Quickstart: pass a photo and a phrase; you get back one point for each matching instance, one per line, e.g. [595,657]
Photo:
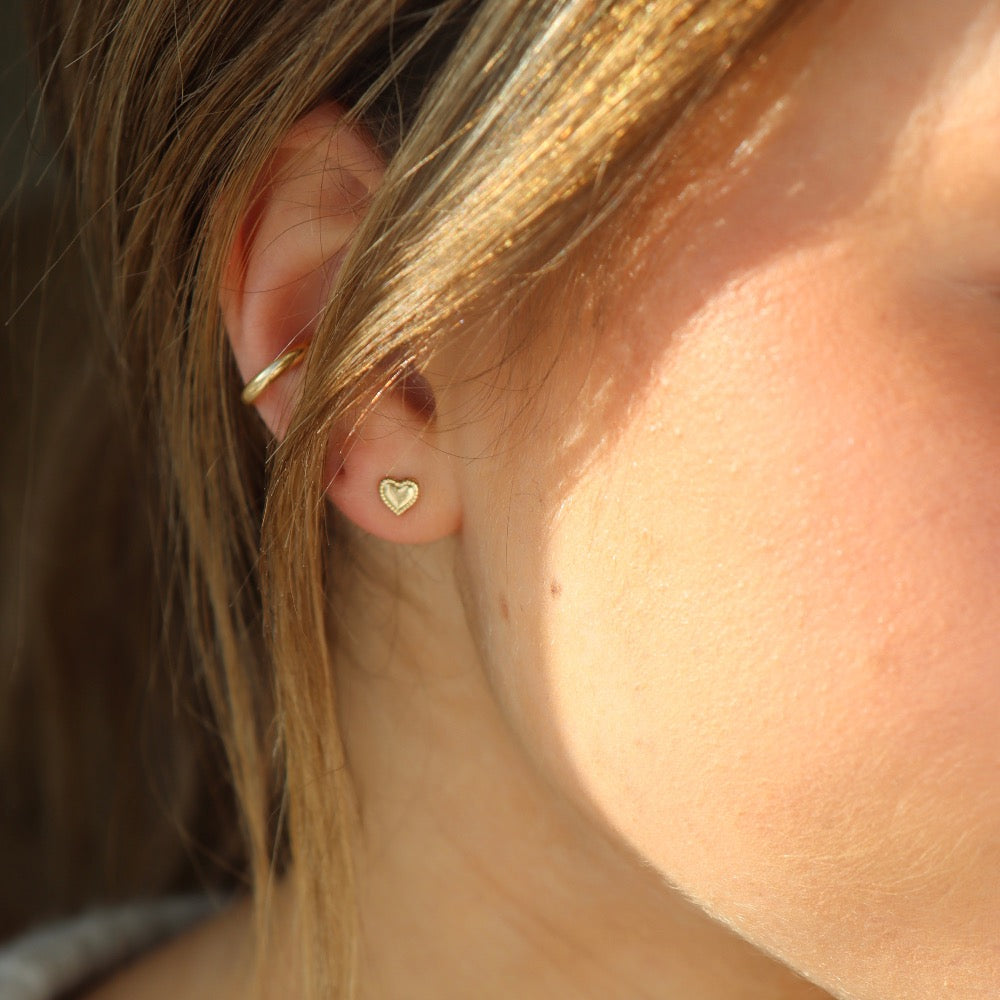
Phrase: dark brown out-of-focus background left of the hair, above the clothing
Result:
[110,784]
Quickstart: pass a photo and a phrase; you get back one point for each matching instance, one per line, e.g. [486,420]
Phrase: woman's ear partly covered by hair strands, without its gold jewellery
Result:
[281,267]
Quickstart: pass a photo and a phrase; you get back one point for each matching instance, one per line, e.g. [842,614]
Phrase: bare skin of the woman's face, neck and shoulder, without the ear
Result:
[705,689]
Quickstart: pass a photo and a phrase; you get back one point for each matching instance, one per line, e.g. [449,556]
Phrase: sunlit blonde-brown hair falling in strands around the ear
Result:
[513,130]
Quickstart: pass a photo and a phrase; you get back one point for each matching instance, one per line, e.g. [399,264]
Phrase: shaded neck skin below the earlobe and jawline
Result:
[476,877]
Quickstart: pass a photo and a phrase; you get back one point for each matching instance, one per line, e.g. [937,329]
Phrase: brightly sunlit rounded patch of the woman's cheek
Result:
[773,667]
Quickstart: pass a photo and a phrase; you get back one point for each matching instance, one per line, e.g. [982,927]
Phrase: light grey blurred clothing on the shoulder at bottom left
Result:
[52,962]
